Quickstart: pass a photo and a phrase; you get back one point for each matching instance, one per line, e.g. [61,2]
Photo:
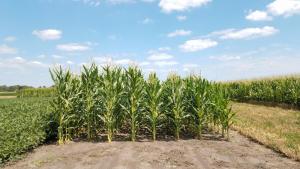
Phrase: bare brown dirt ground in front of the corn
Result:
[239,153]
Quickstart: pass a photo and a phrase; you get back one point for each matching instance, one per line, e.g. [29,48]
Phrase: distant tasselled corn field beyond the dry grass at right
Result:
[279,90]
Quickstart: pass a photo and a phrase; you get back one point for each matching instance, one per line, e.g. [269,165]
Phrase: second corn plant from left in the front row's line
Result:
[89,82]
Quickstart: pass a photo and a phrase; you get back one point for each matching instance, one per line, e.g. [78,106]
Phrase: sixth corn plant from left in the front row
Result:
[176,102]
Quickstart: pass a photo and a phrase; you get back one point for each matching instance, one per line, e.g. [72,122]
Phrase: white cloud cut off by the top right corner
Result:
[284,7]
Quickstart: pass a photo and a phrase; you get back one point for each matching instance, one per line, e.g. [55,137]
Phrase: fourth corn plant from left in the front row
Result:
[135,98]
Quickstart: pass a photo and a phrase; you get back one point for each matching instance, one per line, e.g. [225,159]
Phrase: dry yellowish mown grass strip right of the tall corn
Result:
[274,127]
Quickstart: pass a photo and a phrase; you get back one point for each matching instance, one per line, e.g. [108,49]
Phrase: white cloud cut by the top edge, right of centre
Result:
[180,5]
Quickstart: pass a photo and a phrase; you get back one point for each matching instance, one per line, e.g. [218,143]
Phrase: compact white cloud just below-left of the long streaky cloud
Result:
[197,45]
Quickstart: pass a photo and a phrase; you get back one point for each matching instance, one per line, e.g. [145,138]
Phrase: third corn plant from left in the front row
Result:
[110,93]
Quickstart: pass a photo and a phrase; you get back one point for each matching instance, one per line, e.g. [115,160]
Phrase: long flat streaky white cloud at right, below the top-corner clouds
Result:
[250,33]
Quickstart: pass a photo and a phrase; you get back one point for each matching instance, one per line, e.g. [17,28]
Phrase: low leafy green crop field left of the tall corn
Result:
[24,124]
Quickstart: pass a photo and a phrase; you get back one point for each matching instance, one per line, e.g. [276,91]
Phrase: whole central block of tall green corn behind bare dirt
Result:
[110,100]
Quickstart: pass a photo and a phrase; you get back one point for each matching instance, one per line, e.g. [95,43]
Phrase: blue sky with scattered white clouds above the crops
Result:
[217,39]
